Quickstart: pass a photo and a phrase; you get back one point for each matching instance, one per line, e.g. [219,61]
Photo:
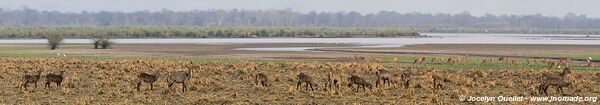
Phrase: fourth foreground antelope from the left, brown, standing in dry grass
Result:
[179,77]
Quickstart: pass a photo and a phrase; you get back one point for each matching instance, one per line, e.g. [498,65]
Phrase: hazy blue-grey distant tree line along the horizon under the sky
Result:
[290,18]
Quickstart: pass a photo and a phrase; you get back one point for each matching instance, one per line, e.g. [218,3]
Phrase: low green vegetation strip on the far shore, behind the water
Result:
[95,32]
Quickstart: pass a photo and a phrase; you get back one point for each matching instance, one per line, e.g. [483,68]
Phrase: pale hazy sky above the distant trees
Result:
[591,8]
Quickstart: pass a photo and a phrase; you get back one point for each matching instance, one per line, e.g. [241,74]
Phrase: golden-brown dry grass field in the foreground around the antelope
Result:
[114,82]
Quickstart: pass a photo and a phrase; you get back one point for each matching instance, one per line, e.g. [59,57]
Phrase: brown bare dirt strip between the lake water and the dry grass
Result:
[229,52]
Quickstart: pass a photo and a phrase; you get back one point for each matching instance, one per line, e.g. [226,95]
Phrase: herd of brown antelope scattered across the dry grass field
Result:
[334,79]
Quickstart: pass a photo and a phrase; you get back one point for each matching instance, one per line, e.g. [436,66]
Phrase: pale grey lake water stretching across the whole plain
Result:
[435,38]
